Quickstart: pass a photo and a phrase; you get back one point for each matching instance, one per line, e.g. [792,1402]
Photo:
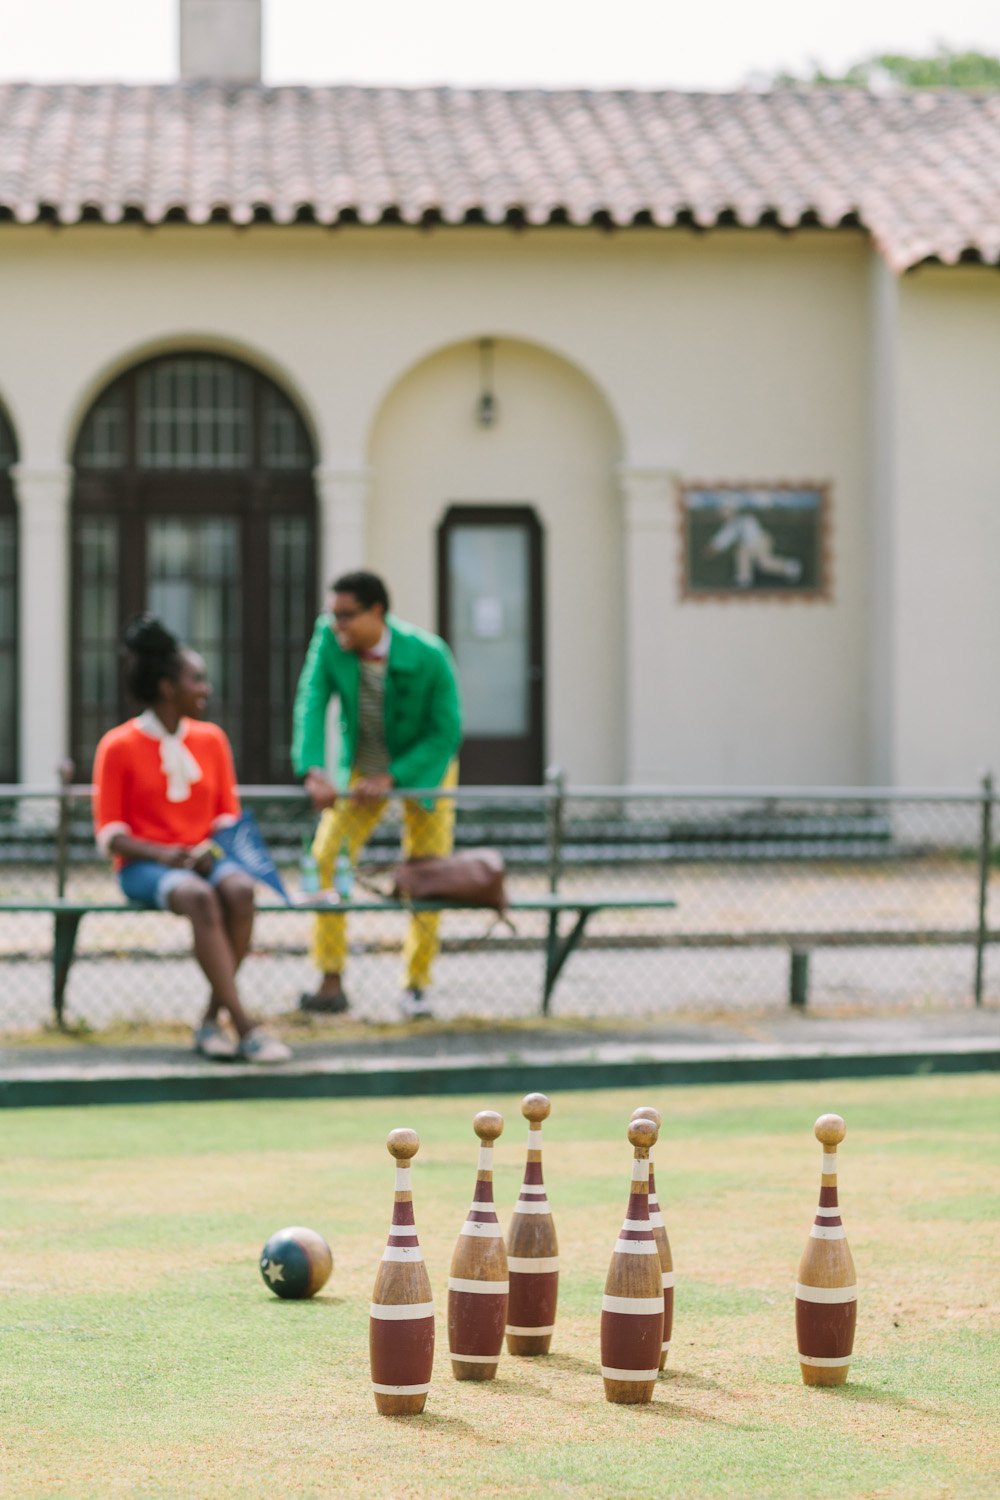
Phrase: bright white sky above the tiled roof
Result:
[687,44]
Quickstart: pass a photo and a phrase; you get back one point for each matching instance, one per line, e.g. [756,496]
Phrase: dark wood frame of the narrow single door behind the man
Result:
[513,515]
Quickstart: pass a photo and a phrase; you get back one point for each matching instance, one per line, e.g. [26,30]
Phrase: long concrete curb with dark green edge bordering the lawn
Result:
[190,1081]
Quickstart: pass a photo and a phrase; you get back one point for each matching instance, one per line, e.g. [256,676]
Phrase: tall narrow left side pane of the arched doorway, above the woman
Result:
[97,631]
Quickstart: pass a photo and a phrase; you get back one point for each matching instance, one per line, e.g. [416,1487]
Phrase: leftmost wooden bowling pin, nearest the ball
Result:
[401,1324]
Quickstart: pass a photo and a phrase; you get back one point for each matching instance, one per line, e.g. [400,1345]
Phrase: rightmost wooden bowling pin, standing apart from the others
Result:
[827,1291]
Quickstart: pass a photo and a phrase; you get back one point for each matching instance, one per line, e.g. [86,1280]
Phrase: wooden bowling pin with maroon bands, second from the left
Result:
[478,1285]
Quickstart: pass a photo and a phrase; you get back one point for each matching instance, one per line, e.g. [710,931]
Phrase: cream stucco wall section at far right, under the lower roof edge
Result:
[948,527]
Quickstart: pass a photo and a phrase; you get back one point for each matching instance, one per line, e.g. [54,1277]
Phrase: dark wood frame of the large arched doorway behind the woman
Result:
[254,496]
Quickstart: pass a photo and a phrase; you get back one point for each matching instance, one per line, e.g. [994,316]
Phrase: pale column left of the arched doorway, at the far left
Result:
[44,617]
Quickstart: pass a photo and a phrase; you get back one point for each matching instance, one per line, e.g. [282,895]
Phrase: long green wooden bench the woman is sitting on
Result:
[70,914]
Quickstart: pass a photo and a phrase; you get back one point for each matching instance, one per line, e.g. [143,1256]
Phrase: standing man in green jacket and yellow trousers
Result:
[401,725]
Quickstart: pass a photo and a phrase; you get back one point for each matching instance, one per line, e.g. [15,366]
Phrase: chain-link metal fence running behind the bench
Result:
[830,898]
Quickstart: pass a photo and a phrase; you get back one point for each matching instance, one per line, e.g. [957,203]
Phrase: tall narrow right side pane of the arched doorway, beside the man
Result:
[292,623]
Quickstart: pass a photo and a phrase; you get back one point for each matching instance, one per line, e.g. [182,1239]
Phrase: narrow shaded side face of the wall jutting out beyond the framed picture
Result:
[882,523]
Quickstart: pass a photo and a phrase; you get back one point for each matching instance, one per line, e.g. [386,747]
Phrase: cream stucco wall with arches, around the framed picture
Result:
[729,356]
